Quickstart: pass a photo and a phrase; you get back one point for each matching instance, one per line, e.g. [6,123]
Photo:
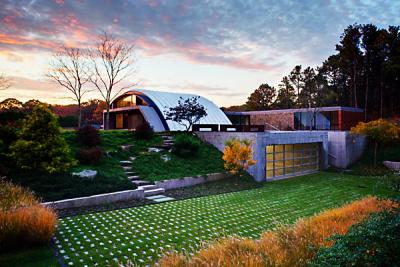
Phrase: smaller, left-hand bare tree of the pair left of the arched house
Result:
[70,69]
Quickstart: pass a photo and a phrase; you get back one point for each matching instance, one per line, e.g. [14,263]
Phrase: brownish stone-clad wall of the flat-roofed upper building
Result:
[282,121]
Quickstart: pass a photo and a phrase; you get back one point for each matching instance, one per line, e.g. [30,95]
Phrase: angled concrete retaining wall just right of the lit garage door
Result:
[345,148]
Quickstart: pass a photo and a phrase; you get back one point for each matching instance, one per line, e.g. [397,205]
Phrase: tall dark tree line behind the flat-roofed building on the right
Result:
[363,73]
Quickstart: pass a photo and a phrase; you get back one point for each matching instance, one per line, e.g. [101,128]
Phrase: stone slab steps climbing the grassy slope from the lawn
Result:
[151,191]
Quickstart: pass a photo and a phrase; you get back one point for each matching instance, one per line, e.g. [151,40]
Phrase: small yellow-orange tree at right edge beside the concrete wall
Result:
[380,132]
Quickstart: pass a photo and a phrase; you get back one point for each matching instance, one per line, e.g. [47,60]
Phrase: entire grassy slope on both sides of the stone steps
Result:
[110,175]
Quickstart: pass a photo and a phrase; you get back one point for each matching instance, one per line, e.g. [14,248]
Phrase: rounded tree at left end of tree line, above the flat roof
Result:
[262,98]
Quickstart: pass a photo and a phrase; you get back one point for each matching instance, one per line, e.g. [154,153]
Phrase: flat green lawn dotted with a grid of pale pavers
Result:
[142,234]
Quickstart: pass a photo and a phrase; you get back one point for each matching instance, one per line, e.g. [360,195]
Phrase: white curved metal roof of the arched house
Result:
[165,100]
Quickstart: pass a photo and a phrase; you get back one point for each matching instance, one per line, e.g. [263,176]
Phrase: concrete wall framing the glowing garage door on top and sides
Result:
[262,139]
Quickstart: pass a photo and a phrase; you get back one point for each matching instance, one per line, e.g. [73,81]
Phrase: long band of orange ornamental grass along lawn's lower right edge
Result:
[287,246]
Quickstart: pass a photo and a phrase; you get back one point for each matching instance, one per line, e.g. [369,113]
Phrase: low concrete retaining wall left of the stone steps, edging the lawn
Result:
[96,199]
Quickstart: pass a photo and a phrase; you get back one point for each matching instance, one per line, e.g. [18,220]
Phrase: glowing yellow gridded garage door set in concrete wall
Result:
[291,160]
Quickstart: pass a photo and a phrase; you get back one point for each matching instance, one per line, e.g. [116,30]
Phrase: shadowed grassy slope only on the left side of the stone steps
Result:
[60,186]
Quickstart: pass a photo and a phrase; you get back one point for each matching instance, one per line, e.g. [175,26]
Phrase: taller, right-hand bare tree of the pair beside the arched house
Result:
[112,63]
